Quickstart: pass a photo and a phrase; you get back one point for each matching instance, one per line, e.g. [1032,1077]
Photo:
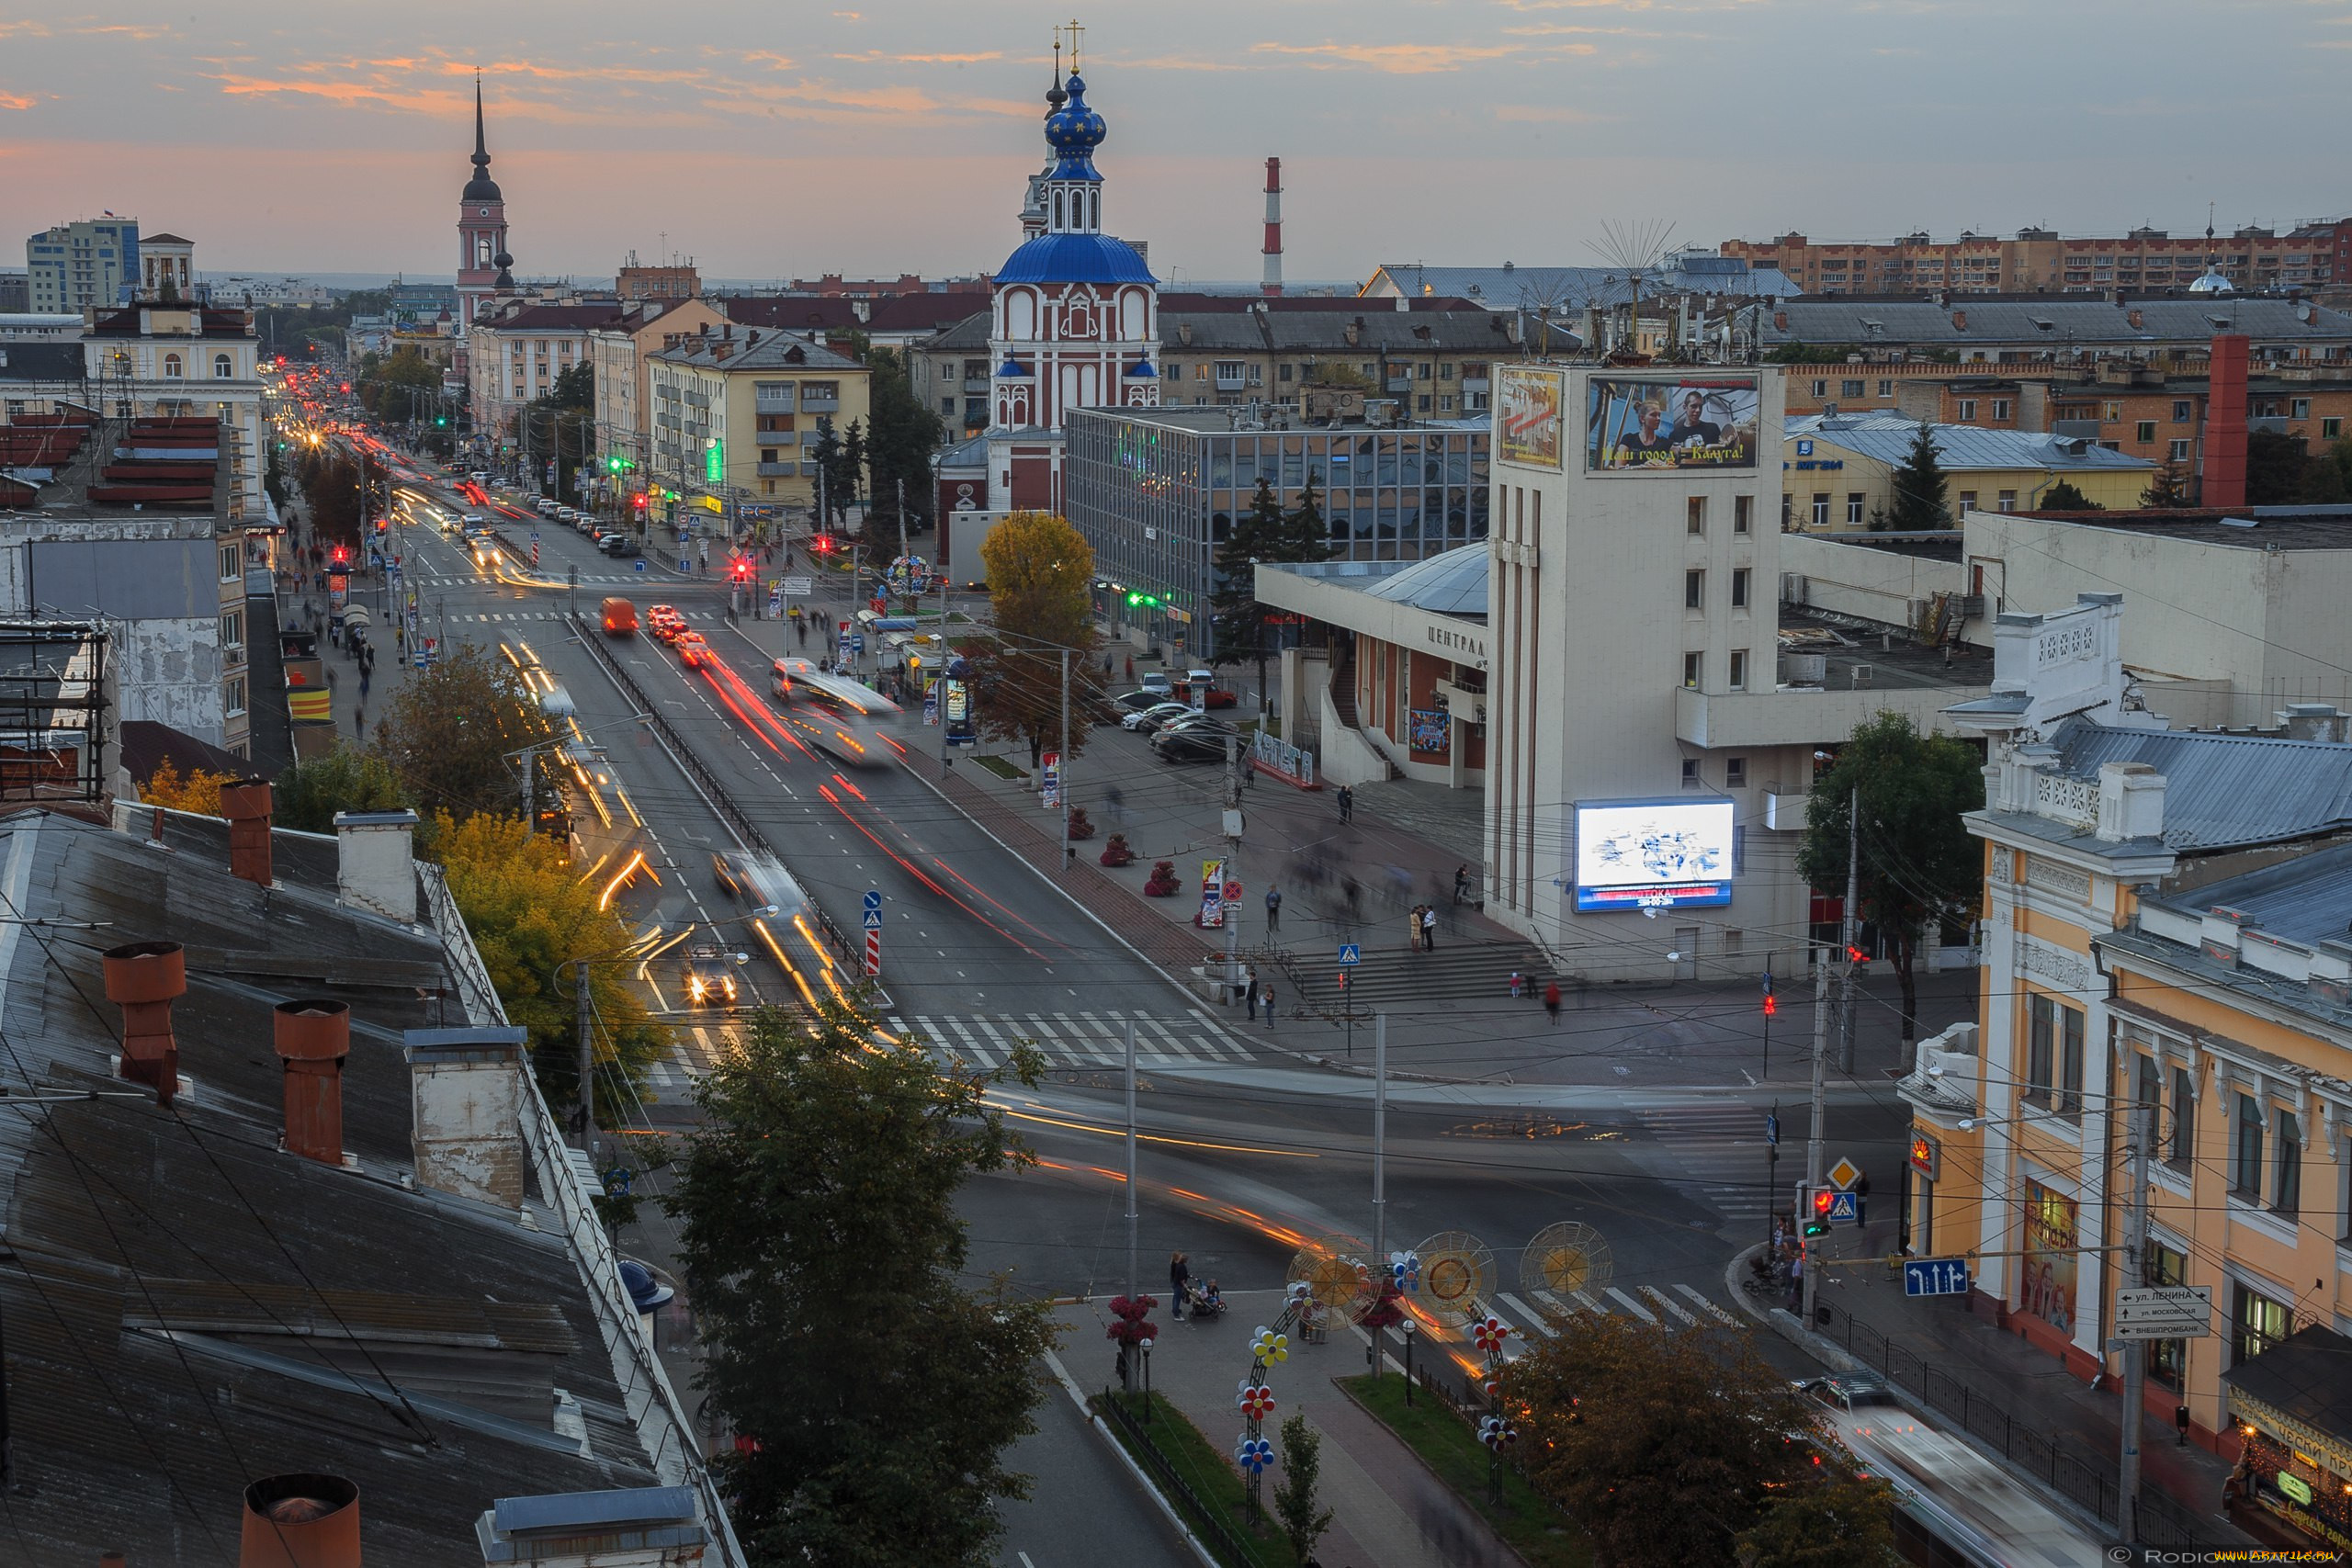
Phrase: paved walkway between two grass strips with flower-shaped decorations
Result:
[1389,1510]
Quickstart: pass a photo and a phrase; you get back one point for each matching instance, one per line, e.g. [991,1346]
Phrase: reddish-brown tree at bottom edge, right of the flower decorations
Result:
[1664,1447]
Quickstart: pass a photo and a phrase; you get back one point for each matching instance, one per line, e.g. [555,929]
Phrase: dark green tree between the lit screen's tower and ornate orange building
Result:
[1918,859]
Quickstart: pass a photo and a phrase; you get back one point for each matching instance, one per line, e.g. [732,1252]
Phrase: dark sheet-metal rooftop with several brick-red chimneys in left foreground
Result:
[293,1219]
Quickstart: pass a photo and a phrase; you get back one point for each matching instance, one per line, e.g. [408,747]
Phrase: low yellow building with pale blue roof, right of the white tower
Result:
[1838,469]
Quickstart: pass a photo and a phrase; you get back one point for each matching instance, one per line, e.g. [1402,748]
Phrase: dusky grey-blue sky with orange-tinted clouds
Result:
[794,140]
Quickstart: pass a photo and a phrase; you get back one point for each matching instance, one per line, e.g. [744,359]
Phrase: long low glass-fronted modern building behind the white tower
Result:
[1158,490]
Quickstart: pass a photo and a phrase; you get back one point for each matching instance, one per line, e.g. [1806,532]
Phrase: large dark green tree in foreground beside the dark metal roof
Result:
[822,1247]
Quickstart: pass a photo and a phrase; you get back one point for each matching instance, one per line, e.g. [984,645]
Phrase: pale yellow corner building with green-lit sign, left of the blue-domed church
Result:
[737,415]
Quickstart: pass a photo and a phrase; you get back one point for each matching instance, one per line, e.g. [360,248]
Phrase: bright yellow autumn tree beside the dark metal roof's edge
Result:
[530,916]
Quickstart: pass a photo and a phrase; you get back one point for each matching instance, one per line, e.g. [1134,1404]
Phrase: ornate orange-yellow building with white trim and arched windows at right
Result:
[2167,930]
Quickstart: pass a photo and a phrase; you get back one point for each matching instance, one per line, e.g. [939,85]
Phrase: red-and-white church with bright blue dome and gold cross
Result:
[1074,311]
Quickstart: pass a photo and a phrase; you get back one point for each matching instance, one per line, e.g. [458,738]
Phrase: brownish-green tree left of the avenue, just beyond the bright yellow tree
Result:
[453,730]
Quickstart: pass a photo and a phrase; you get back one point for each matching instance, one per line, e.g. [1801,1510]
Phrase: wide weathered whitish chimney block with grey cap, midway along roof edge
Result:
[467,1097]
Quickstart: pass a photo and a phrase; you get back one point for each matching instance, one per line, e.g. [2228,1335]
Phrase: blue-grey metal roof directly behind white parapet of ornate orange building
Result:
[2226,791]
